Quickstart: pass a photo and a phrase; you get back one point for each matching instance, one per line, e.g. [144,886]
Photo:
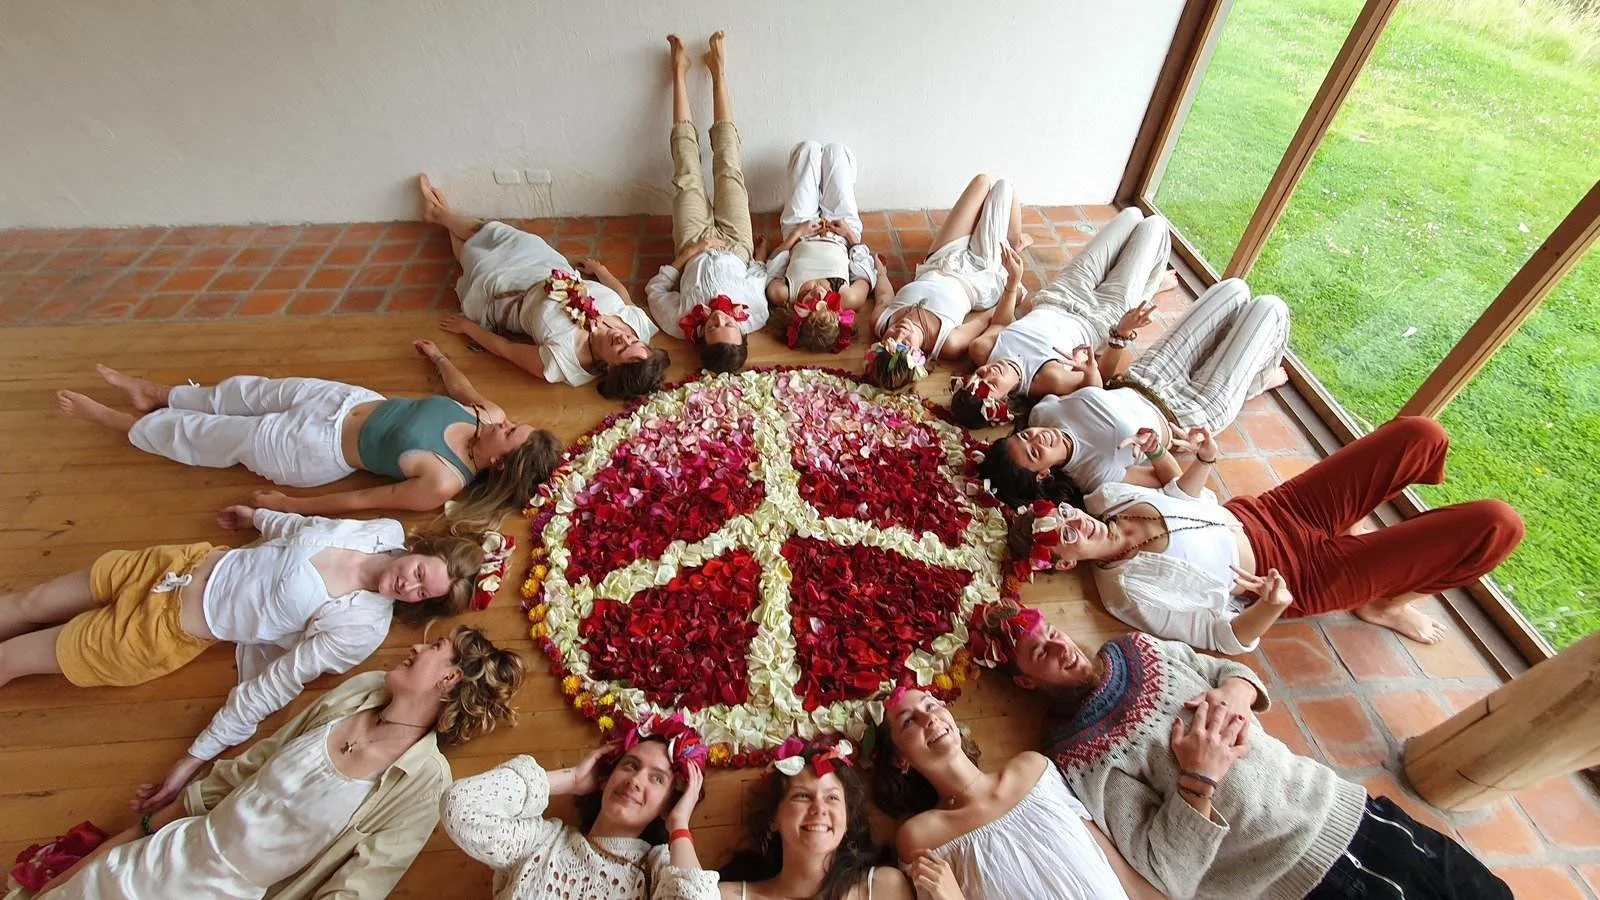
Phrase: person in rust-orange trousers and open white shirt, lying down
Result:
[1217,576]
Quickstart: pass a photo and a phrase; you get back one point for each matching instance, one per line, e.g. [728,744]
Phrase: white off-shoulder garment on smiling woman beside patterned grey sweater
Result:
[1041,850]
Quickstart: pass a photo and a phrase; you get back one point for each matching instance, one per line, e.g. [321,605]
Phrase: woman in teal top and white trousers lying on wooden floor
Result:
[310,433]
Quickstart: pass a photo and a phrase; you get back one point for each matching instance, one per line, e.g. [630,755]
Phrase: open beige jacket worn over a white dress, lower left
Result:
[388,830]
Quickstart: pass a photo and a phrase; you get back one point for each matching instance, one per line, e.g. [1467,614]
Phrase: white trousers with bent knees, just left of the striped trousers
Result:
[1118,271]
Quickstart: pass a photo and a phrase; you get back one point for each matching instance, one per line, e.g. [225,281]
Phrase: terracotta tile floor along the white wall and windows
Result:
[1345,691]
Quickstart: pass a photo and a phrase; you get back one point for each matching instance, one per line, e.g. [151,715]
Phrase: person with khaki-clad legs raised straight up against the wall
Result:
[714,292]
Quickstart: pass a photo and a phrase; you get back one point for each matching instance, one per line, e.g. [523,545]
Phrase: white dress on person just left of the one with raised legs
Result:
[500,267]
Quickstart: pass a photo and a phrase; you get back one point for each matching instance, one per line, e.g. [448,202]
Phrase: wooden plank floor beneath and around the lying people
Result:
[71,491]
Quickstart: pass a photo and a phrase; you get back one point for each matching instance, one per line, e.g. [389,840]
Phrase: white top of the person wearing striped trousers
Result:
[1098,422]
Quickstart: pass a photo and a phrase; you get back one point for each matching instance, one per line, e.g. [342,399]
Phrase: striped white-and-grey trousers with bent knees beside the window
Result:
[1218,356]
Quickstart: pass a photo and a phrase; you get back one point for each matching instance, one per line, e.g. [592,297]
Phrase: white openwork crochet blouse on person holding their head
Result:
[497,819]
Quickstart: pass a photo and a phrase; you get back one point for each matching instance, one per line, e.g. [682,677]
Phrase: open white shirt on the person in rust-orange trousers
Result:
[1166,597]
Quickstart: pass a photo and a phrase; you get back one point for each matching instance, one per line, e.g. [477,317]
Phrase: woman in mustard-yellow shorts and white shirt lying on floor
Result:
[311,598]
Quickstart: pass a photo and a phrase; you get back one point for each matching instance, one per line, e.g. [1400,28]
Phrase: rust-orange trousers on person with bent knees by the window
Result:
[1298,528]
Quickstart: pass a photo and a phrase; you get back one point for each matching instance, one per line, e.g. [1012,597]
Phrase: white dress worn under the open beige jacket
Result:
[270,829]
